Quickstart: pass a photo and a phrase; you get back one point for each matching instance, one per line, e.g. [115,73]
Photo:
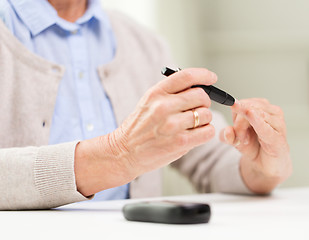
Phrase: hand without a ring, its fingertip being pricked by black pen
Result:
[259,133]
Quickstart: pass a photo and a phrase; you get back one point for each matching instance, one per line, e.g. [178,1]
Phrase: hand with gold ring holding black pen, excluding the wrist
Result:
[160,130]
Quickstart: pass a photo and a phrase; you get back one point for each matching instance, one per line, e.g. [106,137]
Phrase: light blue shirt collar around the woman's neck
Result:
[38,15]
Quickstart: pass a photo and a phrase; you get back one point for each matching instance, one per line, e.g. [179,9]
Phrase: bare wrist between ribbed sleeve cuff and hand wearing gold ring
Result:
[100,163]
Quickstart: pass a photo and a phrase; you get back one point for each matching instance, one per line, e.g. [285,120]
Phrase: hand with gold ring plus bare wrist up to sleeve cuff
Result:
[158,132]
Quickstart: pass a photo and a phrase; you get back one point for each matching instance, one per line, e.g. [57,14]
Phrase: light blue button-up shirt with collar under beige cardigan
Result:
[82,108]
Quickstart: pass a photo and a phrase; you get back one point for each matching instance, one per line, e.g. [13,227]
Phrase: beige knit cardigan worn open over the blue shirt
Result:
[34,175]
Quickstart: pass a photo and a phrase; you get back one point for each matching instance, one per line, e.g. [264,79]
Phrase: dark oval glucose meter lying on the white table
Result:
[167,212]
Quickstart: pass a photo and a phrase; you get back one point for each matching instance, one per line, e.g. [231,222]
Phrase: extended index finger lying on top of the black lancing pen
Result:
[186,78]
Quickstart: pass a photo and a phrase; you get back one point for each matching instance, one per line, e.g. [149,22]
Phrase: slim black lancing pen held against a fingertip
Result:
[214,93]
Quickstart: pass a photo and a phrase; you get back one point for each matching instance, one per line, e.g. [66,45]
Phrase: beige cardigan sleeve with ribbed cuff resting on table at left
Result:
[38,177]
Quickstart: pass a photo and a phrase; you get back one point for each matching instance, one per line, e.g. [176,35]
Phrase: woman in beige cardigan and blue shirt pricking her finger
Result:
[85,111]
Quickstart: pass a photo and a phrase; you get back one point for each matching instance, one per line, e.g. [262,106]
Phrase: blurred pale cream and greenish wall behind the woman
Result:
[257,48]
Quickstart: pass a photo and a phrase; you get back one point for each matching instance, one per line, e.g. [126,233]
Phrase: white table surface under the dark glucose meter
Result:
[283,215]
